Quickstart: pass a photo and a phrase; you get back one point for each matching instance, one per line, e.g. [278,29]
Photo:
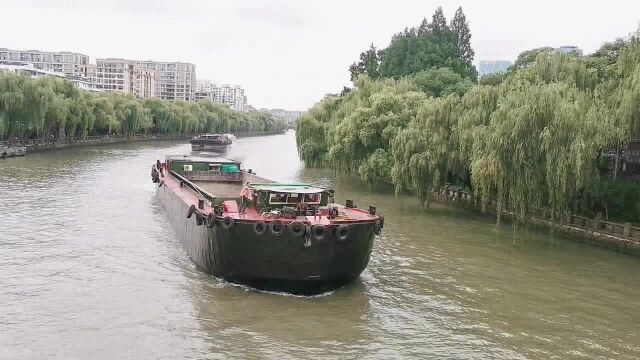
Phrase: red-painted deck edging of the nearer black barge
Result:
[190,197]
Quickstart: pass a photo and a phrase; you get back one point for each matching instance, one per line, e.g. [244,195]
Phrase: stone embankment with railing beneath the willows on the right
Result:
[620,237]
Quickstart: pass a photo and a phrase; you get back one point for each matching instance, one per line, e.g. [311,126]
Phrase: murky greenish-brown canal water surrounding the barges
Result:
[90,269]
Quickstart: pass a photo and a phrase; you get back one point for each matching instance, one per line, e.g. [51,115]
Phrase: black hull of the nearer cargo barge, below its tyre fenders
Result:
[298,264]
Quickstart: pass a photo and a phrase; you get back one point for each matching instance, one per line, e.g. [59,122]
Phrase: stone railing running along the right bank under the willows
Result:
[623,230]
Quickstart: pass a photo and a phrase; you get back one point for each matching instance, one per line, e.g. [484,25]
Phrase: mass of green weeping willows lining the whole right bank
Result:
[532,138]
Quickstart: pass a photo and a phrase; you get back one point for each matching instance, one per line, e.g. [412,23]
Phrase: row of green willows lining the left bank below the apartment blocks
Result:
[49,106]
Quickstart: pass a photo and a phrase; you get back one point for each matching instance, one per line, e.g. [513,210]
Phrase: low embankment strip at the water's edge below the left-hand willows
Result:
[41,145]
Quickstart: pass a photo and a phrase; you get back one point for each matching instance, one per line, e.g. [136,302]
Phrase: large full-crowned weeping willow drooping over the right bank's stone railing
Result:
[540,149]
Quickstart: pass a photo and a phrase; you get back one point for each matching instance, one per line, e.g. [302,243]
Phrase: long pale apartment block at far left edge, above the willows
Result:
[68,63]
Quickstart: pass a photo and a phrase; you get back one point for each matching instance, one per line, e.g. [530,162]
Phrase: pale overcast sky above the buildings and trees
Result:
[288,54]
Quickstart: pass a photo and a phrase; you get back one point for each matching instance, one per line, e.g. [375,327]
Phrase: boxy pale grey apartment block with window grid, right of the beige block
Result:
[174,80]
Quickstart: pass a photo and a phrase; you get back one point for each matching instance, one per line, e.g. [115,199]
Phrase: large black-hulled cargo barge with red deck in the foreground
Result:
[289,237]
